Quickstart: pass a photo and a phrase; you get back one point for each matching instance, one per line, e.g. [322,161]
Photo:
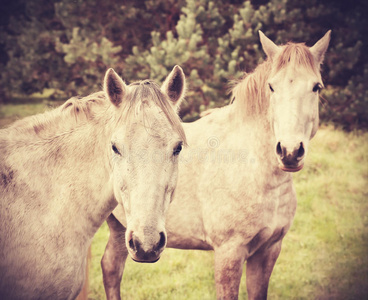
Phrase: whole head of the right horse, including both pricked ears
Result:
[294,86]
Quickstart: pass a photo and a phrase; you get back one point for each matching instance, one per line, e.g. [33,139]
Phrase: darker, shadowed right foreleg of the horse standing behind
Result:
[259,269]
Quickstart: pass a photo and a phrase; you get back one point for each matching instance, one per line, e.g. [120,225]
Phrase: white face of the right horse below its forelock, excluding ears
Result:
[294,116]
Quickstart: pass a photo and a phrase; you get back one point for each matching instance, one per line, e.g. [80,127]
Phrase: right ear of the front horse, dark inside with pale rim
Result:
[174,86]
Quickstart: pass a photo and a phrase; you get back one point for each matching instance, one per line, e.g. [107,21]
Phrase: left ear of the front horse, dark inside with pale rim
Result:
[114,87]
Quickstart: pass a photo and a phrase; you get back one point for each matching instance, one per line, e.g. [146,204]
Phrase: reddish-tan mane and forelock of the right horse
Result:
[251,94]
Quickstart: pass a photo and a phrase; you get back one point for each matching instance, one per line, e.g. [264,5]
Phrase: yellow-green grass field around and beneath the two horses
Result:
[324,255]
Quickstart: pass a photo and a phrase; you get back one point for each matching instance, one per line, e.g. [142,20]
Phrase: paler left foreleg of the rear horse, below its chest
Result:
[229,263]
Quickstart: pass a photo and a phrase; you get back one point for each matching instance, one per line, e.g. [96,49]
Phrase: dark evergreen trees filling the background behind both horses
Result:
[68,45]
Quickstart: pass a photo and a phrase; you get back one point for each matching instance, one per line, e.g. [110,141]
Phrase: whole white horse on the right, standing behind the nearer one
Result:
[234,194]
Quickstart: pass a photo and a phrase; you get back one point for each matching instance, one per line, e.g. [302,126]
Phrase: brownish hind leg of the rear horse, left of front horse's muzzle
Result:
[113,260]
